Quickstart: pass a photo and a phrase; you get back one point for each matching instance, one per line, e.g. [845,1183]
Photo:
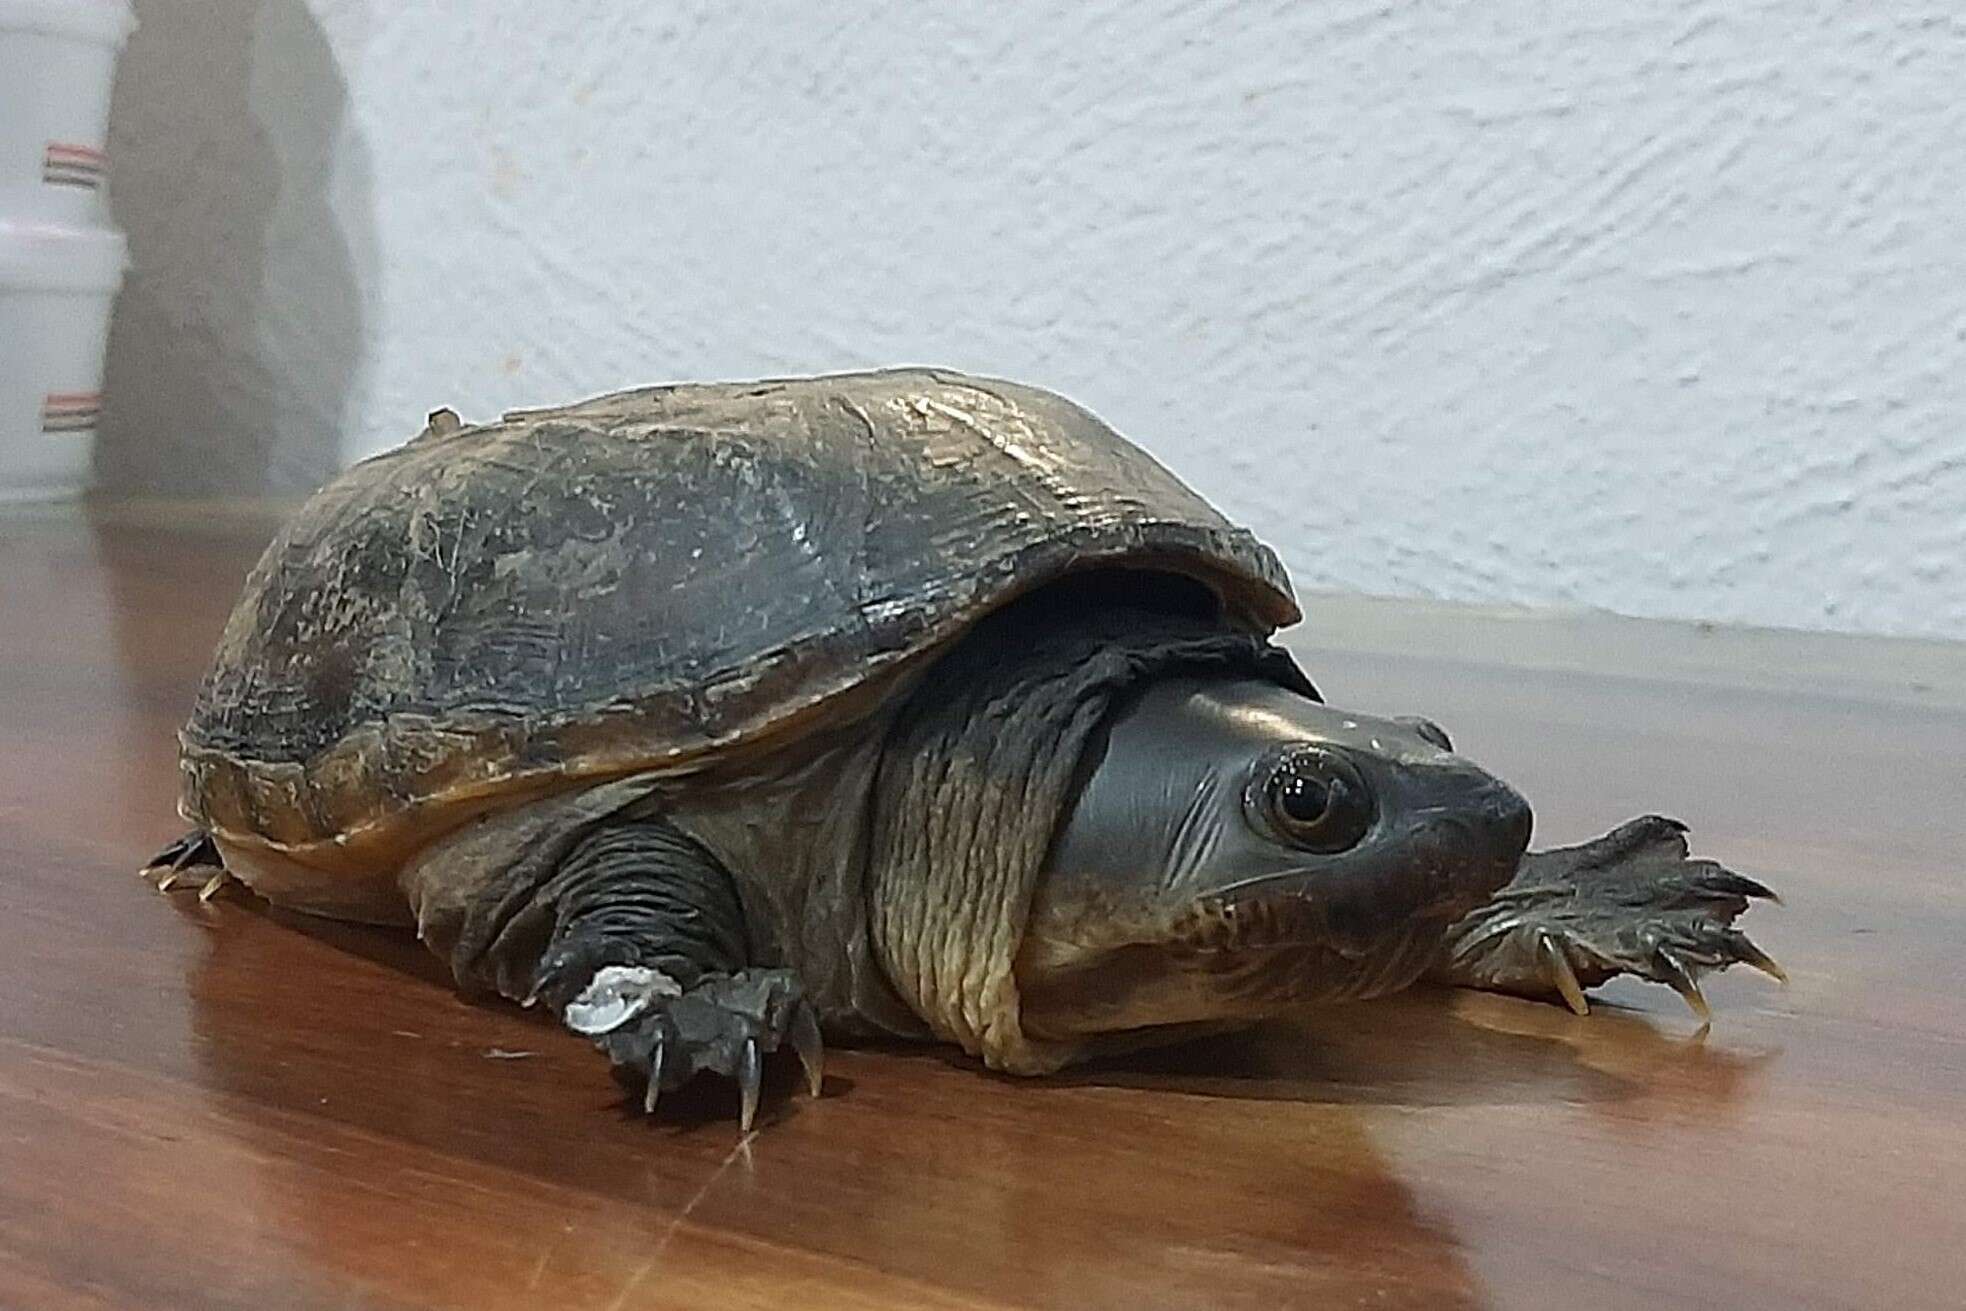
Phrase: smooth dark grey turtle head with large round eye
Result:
[1238,848]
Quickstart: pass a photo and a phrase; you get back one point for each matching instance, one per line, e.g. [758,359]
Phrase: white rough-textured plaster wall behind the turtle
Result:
[1656,308]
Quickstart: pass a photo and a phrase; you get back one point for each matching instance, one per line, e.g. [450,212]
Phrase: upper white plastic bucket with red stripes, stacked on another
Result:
[58,60]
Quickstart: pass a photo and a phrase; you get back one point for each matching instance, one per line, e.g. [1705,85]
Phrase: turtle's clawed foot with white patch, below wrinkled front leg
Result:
[662,1037]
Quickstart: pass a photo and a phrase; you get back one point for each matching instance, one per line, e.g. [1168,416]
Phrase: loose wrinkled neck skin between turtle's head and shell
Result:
[974,779]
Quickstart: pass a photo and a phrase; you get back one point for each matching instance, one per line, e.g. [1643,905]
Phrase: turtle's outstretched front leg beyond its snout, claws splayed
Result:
[1627,903]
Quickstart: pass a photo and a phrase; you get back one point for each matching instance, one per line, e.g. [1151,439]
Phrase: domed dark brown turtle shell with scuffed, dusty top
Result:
[650,581]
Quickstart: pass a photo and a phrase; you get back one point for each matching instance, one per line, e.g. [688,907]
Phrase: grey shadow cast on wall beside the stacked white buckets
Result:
[239,333]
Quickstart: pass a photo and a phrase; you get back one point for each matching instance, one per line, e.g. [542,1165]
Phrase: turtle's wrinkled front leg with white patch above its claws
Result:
[648,958]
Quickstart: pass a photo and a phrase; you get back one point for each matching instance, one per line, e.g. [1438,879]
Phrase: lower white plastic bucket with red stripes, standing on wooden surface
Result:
[56,292]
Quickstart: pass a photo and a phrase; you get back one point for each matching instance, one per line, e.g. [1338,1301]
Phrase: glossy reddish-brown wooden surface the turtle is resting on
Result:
[219,1108]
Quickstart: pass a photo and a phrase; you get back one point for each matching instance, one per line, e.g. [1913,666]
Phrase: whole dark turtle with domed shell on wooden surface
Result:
[736,718]
